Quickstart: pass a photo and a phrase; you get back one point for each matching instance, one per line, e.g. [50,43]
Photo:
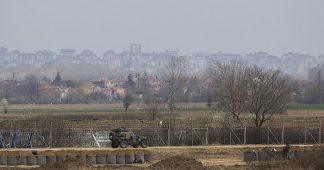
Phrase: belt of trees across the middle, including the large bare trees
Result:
[234,87]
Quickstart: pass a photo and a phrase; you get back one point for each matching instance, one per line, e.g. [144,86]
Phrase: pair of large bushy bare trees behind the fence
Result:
[245,89]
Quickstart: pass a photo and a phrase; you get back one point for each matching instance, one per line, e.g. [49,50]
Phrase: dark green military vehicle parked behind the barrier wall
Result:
[123,137]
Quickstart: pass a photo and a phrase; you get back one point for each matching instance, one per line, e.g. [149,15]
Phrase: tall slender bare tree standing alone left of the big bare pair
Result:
[173,70]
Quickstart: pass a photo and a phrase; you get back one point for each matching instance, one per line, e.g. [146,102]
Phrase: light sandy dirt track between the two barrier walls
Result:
[220,157]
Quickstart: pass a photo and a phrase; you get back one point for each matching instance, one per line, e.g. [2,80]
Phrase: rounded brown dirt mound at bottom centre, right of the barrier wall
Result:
[178,163]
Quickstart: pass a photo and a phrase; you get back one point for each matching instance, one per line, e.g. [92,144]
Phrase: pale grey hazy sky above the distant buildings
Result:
[237,26]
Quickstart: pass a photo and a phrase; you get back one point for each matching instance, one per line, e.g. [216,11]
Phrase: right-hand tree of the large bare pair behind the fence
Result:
[268,94]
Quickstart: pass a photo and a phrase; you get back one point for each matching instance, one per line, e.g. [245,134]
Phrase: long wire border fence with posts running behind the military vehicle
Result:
[81,133]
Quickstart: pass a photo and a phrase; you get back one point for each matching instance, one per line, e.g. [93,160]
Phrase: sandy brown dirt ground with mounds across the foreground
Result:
[198,157]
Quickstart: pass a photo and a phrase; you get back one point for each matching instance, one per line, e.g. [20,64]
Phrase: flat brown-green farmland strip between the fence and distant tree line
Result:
[111,110]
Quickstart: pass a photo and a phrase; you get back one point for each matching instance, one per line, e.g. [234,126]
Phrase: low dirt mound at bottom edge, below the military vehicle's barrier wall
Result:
[67,165]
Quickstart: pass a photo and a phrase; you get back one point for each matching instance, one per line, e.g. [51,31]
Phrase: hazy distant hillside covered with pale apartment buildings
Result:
[136,60]
